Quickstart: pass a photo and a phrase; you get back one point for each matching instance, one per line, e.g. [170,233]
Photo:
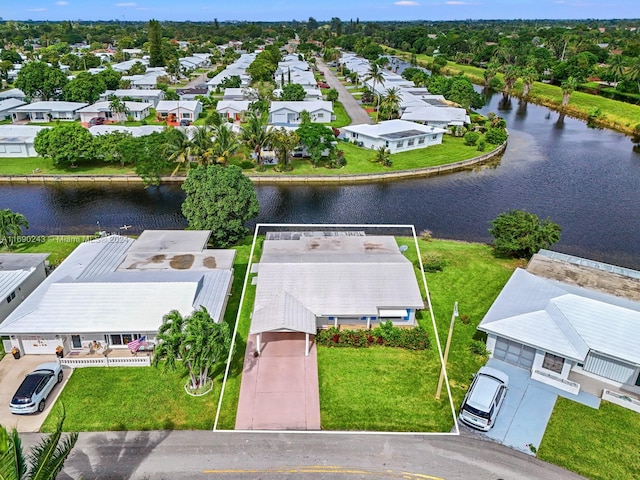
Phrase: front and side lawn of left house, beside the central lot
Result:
[111,398]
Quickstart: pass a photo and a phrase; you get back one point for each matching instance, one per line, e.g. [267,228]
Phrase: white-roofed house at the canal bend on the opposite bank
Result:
[396,135]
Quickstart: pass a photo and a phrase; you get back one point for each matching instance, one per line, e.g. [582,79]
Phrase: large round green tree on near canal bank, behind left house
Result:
[220,199]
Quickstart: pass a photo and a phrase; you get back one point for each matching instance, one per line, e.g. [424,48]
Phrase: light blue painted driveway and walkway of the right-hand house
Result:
[527,409]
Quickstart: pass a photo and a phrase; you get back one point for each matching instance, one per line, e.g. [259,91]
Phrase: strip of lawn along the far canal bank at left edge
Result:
[45,166]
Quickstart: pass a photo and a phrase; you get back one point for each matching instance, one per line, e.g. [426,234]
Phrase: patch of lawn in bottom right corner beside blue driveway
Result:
[598,444]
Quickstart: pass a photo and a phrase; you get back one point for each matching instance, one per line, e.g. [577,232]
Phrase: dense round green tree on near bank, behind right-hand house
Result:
[521,234]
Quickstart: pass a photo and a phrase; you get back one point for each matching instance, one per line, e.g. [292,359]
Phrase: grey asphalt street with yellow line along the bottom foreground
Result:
[233,455]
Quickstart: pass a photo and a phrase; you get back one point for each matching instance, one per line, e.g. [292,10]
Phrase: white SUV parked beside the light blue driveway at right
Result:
[484,398]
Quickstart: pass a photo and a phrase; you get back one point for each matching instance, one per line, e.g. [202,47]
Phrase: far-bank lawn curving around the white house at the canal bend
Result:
[360,160]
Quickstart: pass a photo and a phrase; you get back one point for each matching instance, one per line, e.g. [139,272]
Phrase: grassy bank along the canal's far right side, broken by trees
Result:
[613,114]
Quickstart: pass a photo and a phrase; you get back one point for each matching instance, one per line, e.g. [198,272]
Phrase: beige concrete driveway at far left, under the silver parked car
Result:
[12,372]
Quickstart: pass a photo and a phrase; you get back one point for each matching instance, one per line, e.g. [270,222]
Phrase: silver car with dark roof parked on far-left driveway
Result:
[35,388]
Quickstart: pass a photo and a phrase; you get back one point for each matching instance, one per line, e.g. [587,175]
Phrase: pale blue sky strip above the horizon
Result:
[272,10]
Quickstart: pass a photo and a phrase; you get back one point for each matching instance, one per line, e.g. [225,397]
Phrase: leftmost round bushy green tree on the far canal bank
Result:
[67,144]
